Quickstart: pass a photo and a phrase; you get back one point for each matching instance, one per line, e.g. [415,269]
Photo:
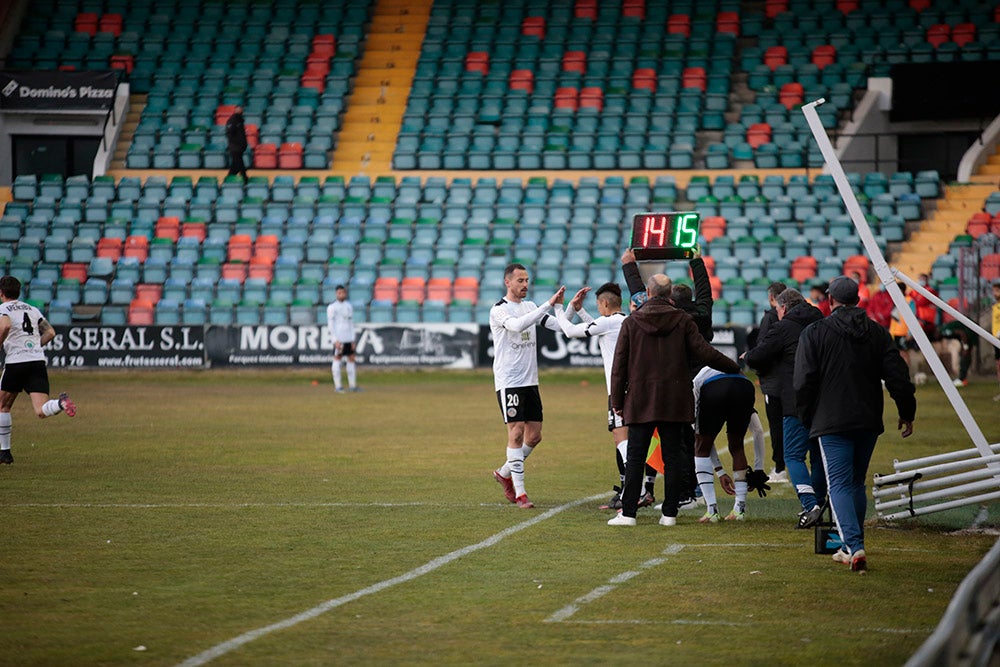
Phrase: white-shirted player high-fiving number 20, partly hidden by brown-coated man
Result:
[605,328]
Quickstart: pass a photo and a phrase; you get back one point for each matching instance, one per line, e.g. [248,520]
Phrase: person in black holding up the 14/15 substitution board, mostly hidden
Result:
[699,306]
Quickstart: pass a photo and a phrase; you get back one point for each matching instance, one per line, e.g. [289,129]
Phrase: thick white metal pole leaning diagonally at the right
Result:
[887,276]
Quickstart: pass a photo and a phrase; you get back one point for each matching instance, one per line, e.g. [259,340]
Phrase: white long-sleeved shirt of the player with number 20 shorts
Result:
[515,355]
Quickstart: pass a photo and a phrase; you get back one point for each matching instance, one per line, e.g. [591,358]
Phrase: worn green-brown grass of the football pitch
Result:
[257,518]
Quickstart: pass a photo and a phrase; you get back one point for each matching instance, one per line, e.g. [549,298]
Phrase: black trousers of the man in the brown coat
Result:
[671,446]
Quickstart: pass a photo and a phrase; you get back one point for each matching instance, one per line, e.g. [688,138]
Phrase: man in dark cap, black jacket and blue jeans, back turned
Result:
[840,365]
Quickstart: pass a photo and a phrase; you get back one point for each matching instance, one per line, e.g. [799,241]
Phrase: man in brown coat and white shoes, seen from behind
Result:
[651,389]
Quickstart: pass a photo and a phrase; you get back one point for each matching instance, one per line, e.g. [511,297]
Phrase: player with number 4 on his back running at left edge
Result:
[23,333]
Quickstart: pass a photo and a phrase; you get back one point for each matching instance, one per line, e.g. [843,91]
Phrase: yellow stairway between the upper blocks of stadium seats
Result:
[375,113]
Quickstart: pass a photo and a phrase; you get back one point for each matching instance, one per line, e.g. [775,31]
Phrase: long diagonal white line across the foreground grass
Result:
[247,637]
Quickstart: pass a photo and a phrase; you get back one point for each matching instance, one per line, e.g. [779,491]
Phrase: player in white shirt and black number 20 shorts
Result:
[515,374]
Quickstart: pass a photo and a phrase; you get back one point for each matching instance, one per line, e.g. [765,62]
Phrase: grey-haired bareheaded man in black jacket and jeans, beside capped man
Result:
[774,355]
